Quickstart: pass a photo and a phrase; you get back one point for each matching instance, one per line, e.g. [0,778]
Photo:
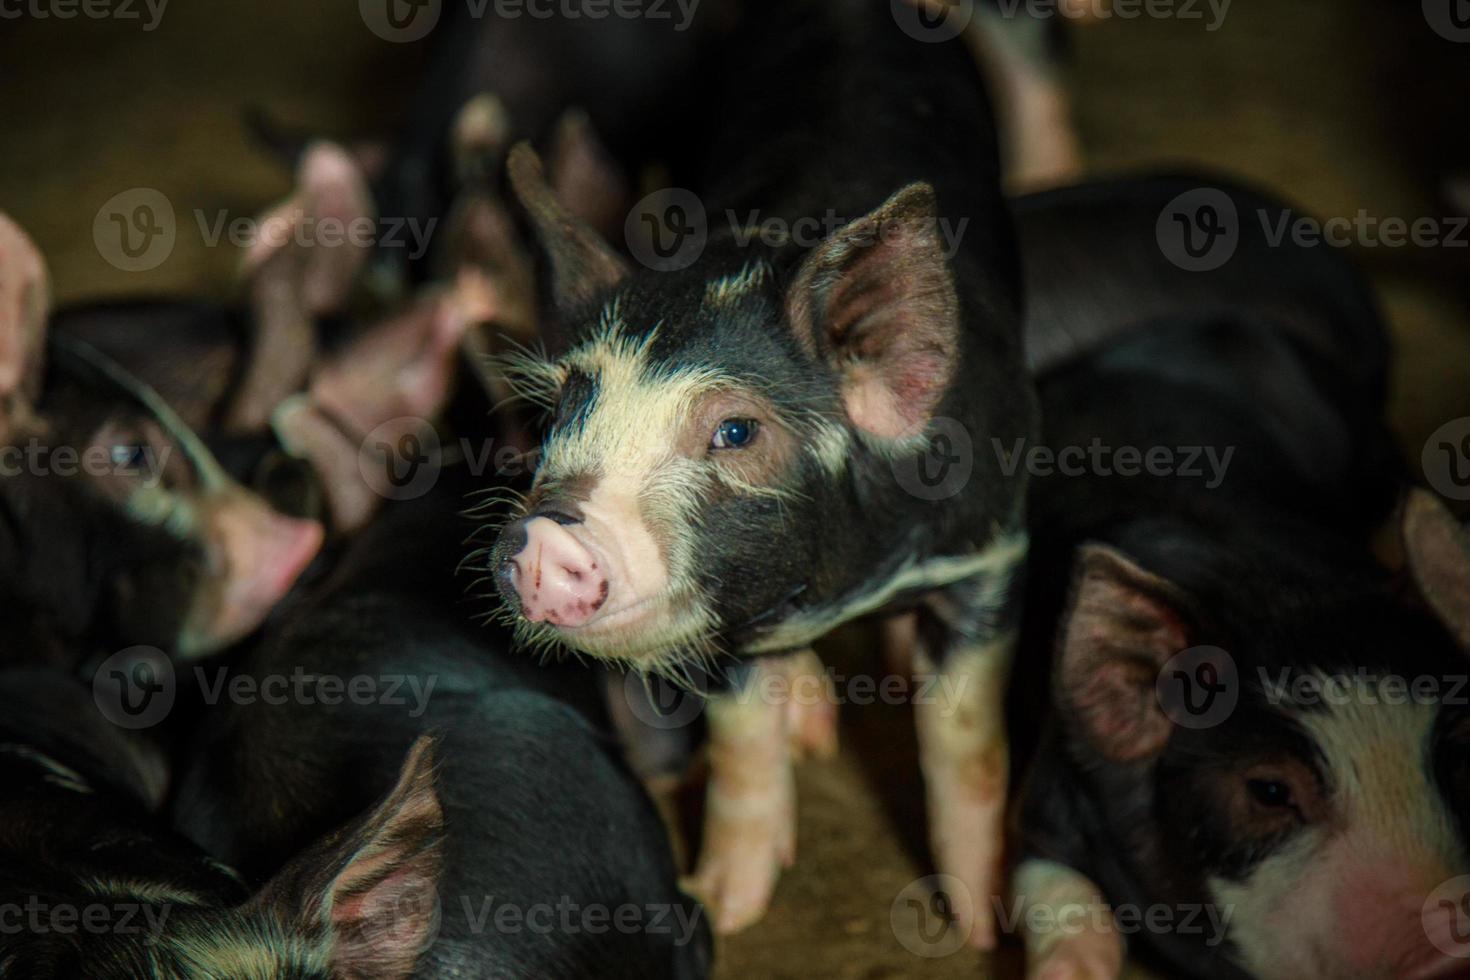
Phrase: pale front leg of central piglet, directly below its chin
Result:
[750,821]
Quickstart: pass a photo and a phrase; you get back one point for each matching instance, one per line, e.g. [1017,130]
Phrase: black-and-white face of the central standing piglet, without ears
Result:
[661,487]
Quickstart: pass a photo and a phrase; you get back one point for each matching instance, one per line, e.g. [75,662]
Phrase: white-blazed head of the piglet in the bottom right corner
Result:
[1325,816]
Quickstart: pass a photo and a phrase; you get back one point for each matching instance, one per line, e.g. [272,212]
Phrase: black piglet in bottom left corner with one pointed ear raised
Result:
[93,882]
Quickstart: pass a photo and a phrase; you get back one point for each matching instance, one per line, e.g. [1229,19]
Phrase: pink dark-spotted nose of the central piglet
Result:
[555,577]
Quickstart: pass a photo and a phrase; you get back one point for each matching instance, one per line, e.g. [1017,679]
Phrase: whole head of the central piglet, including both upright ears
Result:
[718,471]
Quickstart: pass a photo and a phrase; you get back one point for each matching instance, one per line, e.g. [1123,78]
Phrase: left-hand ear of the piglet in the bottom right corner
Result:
[1121,630]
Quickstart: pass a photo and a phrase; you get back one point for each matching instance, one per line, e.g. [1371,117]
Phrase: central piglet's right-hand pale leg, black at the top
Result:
[964,750]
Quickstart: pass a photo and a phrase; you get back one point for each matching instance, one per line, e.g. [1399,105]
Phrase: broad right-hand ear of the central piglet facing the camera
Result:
[877,300]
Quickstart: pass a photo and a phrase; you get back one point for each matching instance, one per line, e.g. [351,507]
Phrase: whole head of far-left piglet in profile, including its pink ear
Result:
[120,528]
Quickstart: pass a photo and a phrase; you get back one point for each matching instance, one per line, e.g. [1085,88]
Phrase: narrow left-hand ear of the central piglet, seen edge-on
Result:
[583,265]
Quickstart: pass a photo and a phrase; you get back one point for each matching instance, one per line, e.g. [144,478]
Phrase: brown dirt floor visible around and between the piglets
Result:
[1341,105]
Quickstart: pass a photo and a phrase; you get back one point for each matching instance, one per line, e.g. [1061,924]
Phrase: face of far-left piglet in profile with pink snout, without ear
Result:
[180,555]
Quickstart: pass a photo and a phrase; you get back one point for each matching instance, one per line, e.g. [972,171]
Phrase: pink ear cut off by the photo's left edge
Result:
[24,309]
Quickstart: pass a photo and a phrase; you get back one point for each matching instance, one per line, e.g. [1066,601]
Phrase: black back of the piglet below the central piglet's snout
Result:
[549,838]
